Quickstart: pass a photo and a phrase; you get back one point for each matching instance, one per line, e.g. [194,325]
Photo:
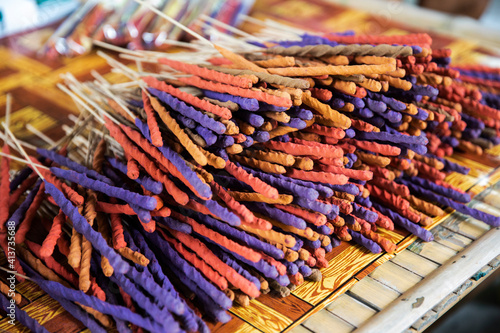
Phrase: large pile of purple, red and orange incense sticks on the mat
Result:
[205,185]
